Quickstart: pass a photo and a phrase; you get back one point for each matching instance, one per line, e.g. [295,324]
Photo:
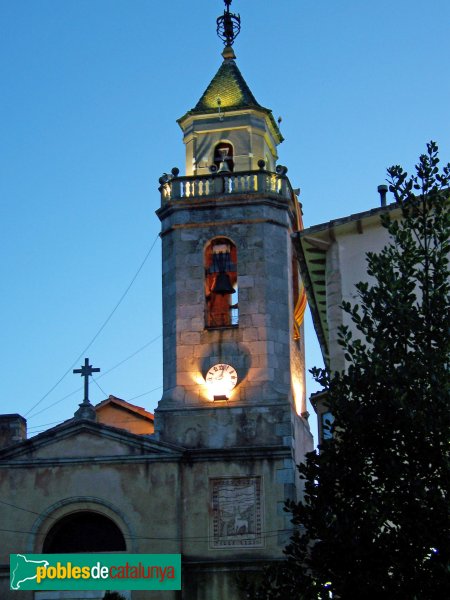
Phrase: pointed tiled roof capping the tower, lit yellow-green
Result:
[229,86]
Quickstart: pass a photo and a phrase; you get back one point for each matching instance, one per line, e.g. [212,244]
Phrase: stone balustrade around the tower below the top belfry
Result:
[173,187]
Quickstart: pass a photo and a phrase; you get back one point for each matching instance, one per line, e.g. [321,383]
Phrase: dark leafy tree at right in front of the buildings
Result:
[374,521]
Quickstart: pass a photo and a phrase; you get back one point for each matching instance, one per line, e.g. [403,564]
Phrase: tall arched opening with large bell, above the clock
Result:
[221,290]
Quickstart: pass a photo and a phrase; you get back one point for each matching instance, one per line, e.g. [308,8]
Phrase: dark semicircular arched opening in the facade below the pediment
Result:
[84,531]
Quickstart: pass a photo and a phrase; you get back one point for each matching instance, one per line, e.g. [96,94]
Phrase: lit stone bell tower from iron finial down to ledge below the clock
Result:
[232,298]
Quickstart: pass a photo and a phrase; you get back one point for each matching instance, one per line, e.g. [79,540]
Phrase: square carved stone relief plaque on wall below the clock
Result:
[236,512]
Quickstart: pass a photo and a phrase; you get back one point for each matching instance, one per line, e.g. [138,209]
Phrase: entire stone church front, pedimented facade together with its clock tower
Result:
[210,481]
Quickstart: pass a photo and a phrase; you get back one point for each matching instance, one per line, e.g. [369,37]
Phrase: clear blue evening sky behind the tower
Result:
[91,90]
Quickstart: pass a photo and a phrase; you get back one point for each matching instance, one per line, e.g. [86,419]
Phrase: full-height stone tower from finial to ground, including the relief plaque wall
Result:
[234,391]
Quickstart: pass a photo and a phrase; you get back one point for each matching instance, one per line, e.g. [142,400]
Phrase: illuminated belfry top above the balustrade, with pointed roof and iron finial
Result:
[228,115]
